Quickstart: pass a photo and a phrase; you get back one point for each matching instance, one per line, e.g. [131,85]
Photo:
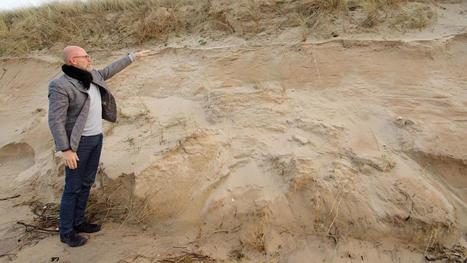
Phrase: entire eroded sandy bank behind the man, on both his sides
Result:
[277,149]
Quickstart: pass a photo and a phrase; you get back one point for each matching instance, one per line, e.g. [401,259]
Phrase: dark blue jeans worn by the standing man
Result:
[78,183]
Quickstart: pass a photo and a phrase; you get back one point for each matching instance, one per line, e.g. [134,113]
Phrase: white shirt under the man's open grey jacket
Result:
[93,124]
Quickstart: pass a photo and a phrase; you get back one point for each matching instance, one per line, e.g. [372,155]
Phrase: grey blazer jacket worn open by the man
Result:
[69,104]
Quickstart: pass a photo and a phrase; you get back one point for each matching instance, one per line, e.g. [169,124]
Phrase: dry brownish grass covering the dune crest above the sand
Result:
[122,23]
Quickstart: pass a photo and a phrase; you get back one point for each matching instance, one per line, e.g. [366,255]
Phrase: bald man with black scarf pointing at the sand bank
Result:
[78,101]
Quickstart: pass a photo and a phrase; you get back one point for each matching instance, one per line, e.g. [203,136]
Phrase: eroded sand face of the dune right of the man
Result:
[307,130]
